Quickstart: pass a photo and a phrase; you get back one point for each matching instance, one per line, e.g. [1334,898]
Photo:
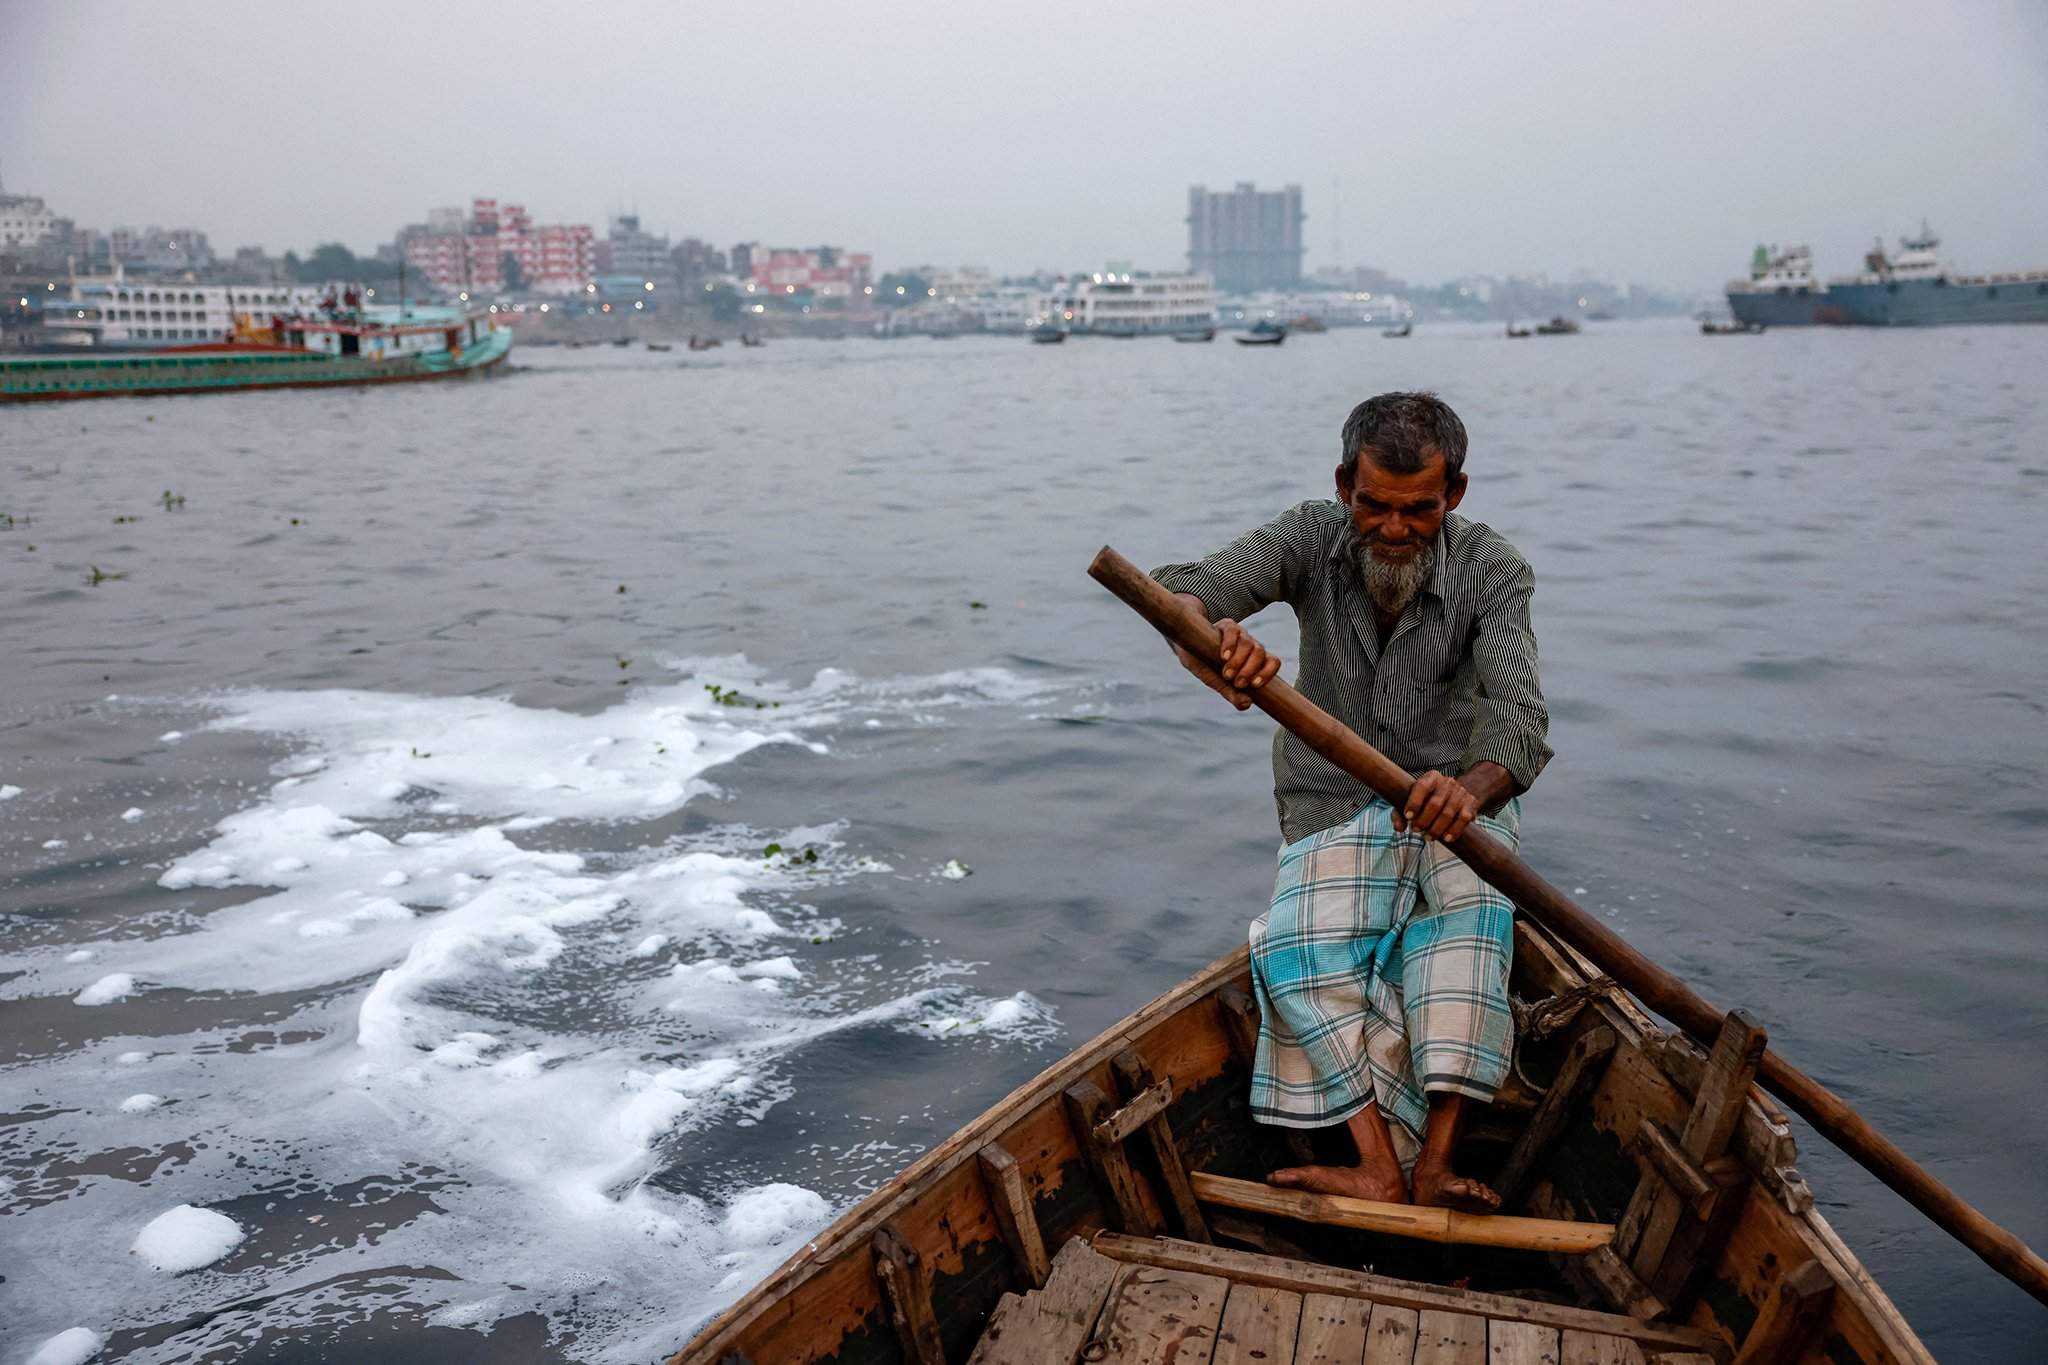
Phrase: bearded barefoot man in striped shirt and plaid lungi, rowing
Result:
[1381,965]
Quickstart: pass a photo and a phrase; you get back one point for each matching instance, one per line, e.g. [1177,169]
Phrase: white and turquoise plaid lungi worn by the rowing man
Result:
[1381,973]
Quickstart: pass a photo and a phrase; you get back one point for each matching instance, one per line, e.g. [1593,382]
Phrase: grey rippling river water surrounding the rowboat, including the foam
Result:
[386,832]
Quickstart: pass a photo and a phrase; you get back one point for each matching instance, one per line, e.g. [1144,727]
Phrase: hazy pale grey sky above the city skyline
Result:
[1652,142]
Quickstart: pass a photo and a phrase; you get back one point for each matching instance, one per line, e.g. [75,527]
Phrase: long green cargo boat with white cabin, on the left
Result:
[337,347]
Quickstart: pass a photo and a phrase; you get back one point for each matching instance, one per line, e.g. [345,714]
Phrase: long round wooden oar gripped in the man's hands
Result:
[1609,951]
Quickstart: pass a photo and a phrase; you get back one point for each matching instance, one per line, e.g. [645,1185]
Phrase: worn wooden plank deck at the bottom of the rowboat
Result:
[1123,1301]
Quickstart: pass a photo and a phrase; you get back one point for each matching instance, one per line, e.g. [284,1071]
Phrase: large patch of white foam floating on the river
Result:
[445,969]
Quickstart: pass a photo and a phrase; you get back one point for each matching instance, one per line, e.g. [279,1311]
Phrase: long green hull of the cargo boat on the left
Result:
[226,371]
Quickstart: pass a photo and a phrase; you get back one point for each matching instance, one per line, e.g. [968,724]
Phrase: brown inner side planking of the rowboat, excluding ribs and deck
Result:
[826,1305]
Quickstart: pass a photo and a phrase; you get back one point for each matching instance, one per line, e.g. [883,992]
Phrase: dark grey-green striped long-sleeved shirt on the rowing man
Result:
[1453,687]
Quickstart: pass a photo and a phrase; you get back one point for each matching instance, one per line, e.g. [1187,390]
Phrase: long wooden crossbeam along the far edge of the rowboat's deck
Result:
[1306,1278]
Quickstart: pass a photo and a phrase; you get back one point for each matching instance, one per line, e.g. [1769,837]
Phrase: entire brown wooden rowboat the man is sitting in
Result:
[1111,1210]
